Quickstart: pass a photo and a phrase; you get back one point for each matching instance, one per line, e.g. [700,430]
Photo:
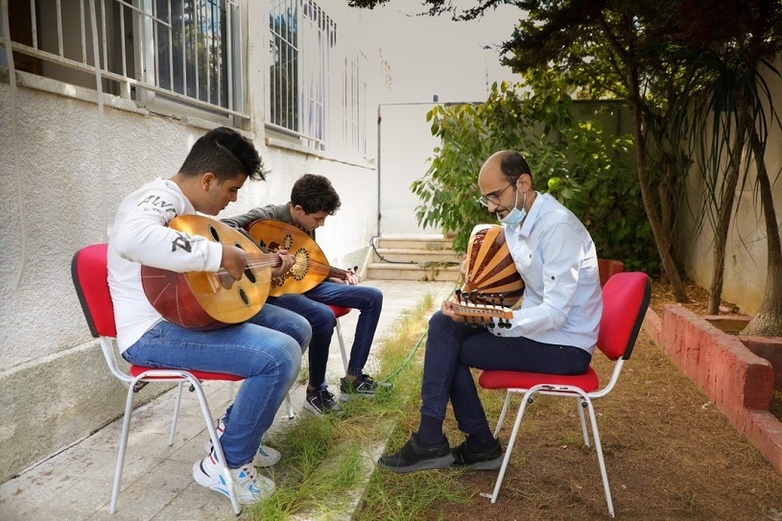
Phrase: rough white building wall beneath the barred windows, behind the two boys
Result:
[61,190]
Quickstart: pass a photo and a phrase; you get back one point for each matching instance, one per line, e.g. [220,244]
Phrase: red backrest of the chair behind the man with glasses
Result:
[626,296]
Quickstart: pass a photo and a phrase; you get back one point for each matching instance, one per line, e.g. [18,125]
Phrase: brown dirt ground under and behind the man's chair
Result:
[670,453]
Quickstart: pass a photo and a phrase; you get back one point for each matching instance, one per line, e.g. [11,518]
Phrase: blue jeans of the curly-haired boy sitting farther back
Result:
[313,305]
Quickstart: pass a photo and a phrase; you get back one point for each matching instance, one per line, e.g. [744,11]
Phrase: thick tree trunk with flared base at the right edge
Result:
[768,320]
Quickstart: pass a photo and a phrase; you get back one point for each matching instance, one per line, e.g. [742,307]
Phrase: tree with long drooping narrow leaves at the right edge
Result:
[726,92]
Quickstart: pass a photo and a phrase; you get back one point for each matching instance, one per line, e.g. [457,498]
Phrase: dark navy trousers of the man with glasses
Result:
[452,348]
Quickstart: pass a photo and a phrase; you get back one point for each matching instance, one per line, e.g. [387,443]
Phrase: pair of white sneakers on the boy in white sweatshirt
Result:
[248,486]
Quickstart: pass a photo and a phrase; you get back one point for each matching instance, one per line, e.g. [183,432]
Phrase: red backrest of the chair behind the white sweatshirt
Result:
[89,270]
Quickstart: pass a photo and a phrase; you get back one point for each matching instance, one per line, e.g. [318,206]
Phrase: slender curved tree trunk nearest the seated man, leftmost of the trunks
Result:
[661,239]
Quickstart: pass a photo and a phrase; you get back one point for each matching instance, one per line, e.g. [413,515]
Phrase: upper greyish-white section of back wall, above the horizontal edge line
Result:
[422,56]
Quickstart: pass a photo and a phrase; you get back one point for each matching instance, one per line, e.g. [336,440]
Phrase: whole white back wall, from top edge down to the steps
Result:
[415,58]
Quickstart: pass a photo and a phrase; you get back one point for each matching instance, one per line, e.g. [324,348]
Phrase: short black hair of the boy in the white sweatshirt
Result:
[225,153]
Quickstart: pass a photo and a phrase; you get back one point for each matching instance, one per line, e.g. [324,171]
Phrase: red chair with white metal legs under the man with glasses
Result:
[625,299]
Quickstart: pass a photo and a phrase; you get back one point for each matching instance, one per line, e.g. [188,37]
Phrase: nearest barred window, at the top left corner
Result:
[184,55]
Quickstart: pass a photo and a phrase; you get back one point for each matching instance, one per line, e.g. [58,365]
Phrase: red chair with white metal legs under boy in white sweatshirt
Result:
[90,277]
